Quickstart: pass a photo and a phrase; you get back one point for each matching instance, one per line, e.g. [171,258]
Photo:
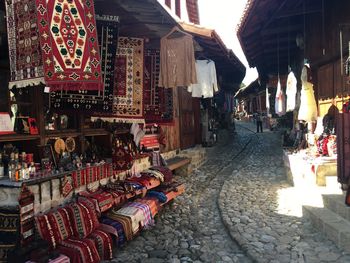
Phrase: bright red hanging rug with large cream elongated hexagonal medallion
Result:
[69,44]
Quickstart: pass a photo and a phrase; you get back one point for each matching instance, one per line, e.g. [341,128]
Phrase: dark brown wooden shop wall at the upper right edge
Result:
[322,48]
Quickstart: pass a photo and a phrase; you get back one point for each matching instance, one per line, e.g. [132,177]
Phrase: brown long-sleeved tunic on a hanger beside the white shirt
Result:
[177,62]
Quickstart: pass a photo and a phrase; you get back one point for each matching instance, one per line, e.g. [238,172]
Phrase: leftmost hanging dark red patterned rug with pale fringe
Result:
[26,65]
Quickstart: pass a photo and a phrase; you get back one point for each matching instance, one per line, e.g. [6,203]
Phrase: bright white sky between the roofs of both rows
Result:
[223,16]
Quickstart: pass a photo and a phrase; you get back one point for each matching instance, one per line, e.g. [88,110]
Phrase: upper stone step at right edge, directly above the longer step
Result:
[336,203]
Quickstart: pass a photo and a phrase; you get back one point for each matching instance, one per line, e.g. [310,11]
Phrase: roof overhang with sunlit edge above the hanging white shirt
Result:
[226,62]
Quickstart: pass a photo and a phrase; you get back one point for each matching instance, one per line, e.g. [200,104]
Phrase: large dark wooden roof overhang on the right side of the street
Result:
[268,31]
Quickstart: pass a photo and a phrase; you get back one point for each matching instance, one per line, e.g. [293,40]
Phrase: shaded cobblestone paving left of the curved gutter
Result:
[191,228]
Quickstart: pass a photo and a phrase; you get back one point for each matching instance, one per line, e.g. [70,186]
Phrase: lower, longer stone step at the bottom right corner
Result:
[333,226]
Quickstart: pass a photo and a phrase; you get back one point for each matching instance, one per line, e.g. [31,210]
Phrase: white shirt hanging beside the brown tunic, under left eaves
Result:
[206,80]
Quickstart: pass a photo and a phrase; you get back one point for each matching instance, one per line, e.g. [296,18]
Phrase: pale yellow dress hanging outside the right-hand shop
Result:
[308,107]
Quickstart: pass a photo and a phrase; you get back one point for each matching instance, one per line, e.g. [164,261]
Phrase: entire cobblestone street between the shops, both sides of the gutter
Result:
[230,212]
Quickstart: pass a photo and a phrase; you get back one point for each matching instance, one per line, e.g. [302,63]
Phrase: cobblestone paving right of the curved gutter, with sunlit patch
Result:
[260,219]
